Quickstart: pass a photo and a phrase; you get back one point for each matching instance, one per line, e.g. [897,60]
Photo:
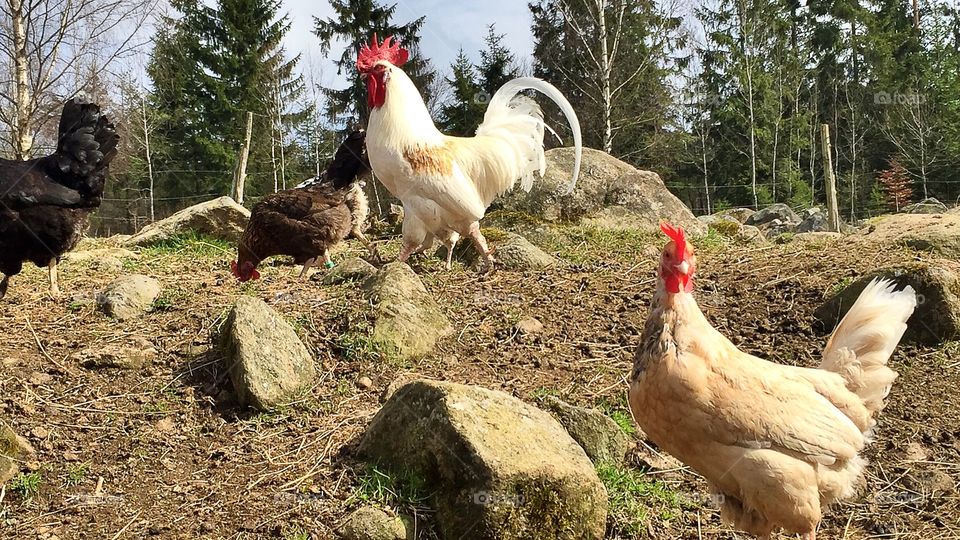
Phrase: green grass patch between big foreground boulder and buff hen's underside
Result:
[636,499]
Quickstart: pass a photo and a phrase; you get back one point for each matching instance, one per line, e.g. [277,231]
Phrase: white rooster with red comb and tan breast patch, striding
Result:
[446,183]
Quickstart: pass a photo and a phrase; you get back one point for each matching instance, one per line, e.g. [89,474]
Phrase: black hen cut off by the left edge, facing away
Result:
[45,202]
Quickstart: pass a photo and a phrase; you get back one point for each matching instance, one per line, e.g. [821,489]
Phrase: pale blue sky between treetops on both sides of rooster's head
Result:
[449,25]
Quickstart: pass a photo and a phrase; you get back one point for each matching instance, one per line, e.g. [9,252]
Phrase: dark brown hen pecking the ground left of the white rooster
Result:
[306,221]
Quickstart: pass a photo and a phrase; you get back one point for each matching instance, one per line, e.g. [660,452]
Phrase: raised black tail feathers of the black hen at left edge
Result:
[87,143]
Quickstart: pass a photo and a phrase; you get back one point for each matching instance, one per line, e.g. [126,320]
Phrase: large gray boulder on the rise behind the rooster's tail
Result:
[609,193]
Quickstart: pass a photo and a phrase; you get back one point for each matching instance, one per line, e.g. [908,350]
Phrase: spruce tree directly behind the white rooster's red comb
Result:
[355,22]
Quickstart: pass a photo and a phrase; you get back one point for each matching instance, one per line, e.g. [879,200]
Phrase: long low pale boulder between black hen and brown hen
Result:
[220,218]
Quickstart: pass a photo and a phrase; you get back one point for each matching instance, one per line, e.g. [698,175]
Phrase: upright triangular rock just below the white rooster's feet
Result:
[408,322]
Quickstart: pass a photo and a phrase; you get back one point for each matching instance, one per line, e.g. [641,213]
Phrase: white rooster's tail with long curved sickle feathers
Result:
[518,119]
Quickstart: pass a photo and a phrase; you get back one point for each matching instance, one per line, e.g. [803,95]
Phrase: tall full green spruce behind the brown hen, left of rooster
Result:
[209,68]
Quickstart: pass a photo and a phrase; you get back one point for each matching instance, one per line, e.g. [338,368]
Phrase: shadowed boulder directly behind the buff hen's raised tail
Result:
[937,317]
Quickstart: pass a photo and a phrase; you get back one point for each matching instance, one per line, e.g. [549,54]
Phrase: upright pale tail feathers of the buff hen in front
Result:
[864,340]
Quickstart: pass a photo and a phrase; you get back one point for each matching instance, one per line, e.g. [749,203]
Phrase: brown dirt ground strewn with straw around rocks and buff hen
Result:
[164,452]
